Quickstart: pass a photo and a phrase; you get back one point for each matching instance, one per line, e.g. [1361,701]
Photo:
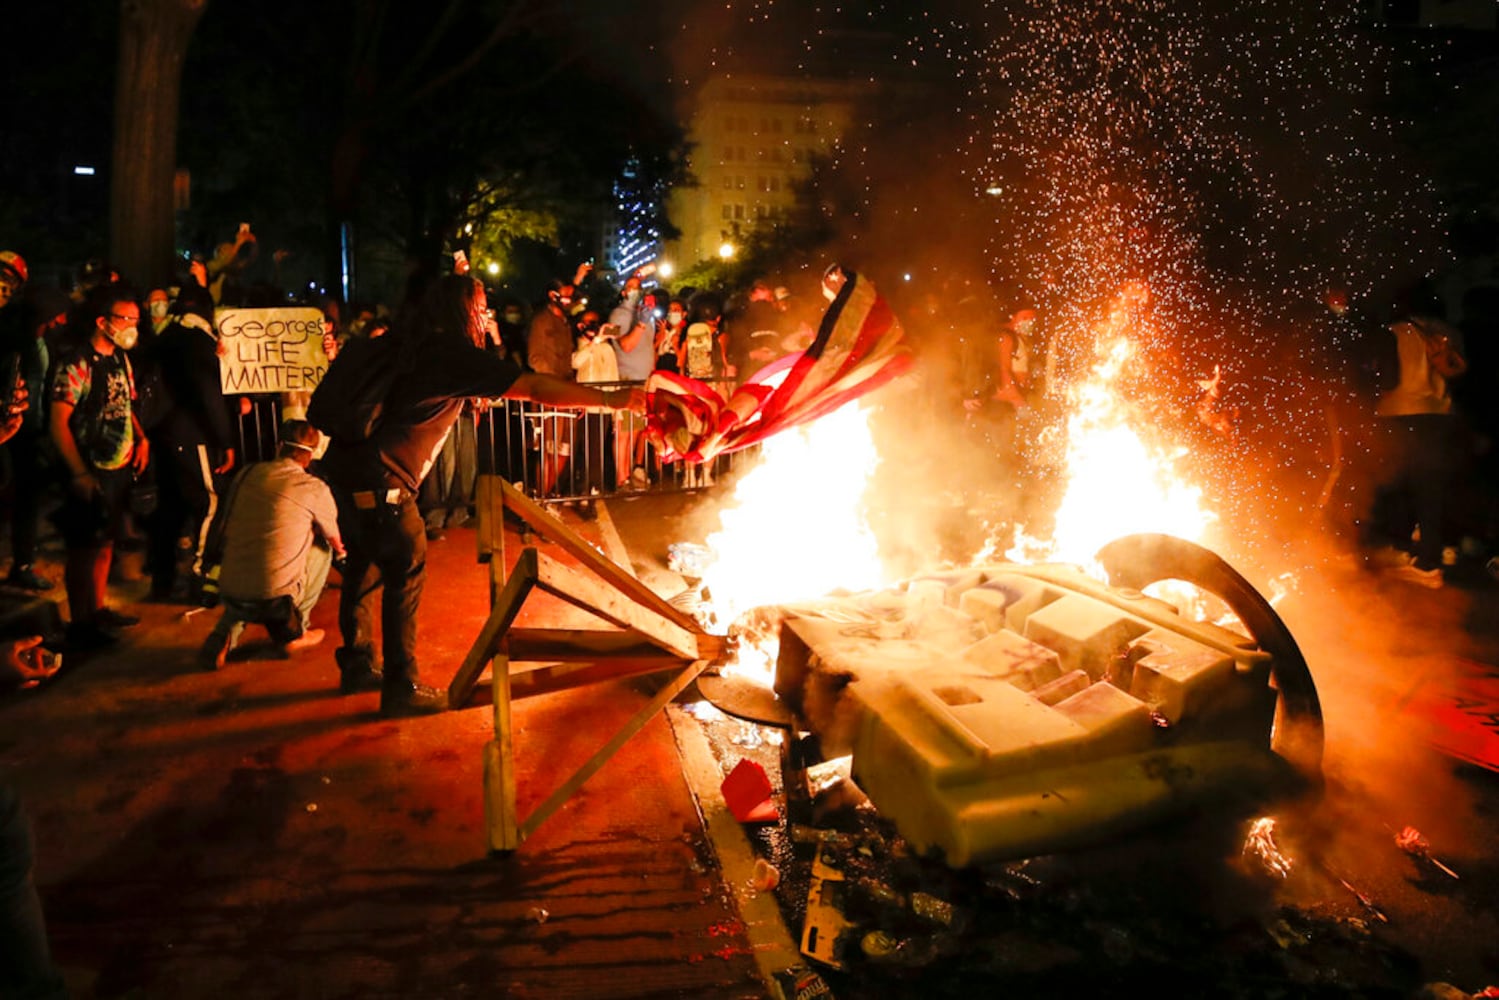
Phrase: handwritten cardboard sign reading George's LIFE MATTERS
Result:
[271,350]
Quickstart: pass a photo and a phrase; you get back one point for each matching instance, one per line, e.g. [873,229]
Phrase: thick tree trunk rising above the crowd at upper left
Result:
[154,46]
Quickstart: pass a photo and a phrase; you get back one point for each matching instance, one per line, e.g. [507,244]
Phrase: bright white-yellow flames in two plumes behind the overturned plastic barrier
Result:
[797,530]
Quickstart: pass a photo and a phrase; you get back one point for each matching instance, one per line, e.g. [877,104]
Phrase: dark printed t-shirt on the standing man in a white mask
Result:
[101,389]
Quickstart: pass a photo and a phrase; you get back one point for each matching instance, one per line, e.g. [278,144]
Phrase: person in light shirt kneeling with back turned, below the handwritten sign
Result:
[272,567]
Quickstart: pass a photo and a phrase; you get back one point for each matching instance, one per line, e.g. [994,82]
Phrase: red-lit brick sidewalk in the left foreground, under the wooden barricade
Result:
[254,834]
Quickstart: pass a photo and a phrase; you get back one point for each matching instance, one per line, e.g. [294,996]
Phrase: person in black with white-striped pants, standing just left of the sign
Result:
[194,439]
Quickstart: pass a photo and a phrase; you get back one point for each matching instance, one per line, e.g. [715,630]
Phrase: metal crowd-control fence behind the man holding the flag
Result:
[552,455]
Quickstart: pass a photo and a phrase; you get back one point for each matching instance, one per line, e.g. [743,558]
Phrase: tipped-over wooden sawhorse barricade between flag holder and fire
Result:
[648,635]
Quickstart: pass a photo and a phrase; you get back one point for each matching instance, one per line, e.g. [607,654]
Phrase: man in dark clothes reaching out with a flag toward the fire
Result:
[377,482]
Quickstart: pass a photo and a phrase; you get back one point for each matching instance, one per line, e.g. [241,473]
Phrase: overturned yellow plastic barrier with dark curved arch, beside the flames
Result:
[1010,711]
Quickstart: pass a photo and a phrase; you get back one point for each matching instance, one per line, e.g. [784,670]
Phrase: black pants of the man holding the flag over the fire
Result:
[387,546]
